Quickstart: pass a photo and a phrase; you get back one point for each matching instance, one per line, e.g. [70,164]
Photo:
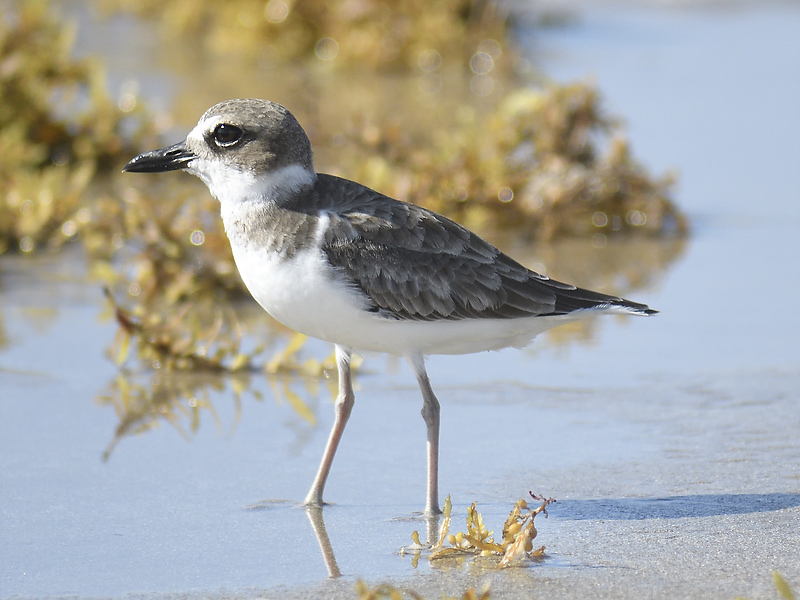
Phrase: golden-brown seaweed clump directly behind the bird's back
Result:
[546,162]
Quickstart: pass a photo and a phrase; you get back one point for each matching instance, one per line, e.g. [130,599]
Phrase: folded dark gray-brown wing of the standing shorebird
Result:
[415,264]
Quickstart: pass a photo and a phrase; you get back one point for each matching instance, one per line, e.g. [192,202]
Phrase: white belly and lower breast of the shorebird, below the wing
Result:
[304,294]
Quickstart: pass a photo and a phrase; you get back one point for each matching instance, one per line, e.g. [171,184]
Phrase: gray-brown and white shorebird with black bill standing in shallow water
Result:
[335,260]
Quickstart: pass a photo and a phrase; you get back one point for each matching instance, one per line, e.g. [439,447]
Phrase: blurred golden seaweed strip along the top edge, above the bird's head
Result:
[367,33]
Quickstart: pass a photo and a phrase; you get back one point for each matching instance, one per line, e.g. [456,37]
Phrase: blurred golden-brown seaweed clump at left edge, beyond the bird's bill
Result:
[58,129]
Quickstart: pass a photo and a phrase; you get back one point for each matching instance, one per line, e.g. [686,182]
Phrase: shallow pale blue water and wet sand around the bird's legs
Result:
[671,443]
